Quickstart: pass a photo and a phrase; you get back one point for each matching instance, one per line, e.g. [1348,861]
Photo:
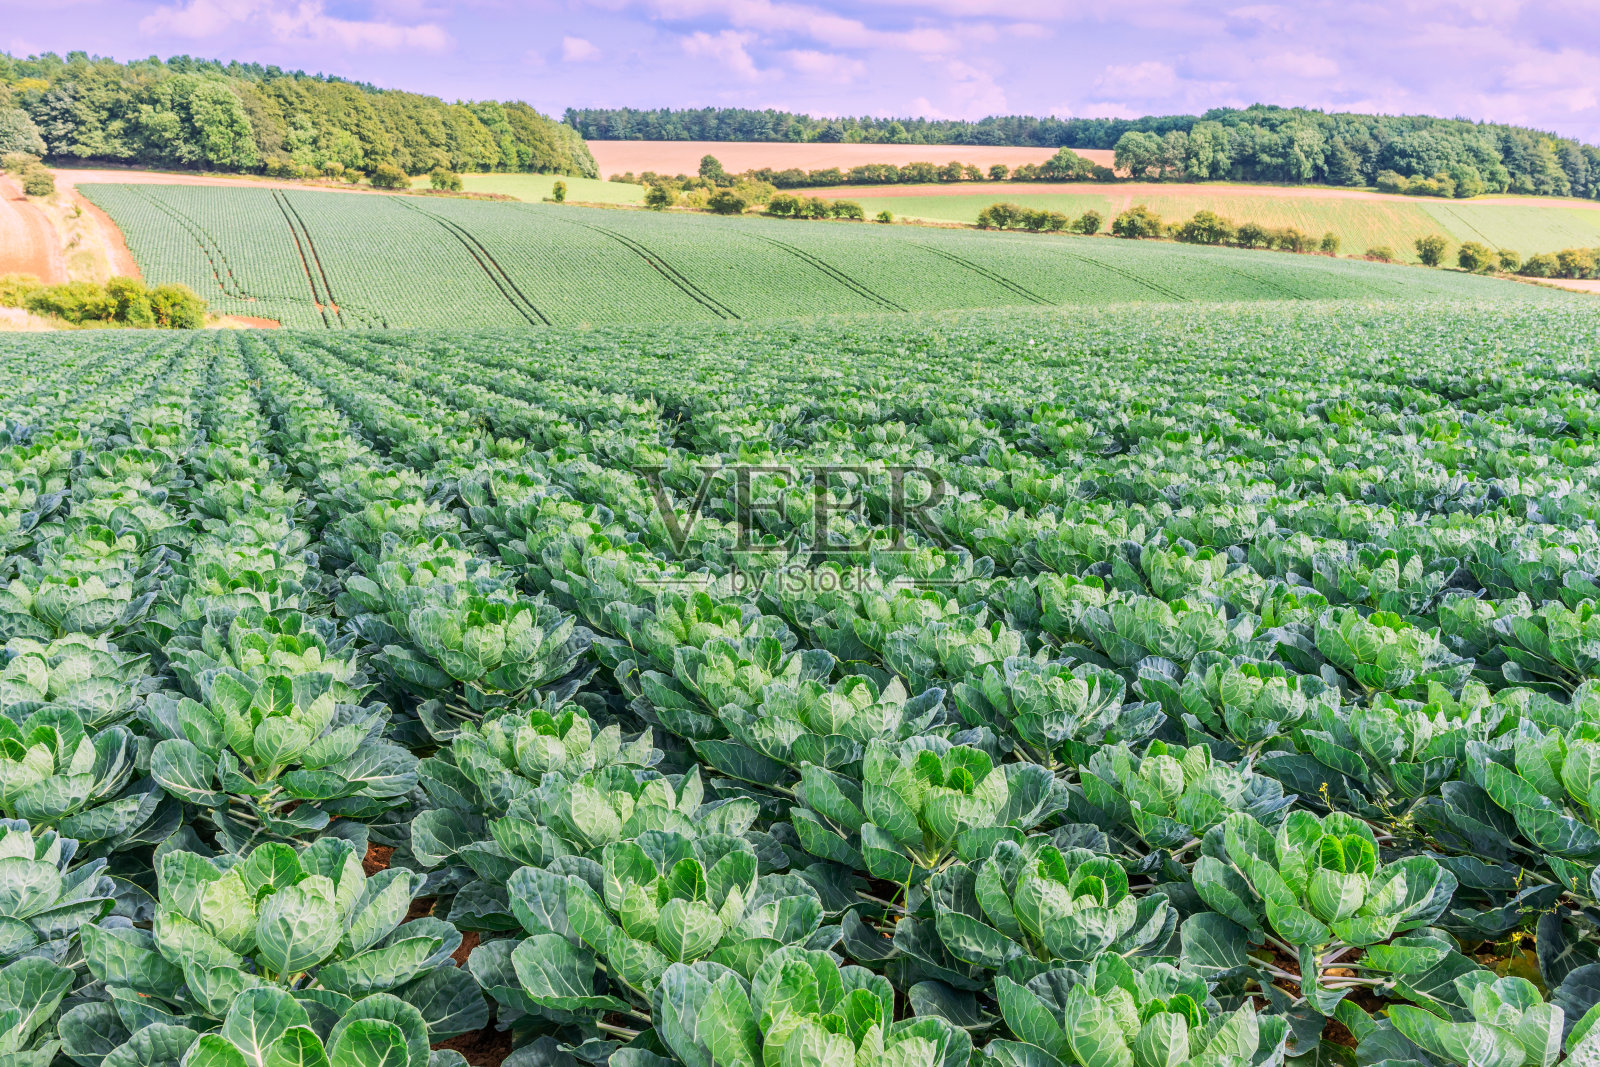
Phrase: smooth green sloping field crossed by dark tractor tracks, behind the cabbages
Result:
[346,262]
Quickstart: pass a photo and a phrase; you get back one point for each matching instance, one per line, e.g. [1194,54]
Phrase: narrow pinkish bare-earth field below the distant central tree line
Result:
[682,158]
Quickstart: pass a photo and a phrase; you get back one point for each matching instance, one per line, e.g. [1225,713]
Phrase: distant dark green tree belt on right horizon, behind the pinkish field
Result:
[1279,145]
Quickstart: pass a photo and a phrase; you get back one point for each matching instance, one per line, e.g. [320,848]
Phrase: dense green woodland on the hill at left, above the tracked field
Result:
[247,118]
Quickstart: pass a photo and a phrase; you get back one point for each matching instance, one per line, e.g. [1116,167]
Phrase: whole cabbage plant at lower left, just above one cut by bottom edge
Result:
[310,925]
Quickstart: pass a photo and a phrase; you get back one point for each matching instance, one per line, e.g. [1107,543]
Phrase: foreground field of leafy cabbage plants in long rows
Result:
[999,689]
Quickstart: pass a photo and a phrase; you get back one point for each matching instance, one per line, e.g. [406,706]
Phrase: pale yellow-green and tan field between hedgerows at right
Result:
[1534,226]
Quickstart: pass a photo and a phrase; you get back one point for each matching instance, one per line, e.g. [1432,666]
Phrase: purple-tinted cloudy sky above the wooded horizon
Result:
[1524,62]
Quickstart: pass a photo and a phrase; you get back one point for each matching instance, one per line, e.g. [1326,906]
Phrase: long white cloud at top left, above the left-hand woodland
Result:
[292,22]
